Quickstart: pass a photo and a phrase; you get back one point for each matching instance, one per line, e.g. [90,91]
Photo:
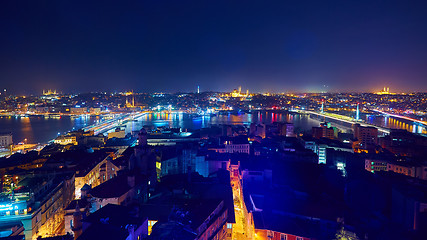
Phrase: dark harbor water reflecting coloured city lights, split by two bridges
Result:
[41,129]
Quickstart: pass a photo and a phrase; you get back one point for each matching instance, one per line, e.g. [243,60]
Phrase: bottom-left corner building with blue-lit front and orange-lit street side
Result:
[38,203]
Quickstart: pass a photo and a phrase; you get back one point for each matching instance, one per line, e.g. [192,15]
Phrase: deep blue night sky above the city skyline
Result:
[147,46]
